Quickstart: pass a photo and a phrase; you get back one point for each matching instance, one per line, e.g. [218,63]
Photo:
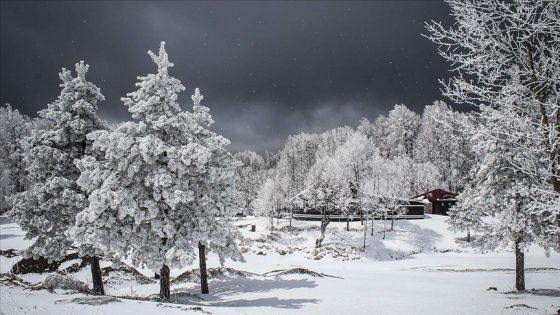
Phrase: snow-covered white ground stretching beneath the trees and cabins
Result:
[419,268]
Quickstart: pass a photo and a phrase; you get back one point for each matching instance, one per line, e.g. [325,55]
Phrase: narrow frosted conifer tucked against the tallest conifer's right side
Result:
[214,193]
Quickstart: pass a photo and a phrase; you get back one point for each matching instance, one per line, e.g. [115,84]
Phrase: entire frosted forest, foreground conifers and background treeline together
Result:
[162,189]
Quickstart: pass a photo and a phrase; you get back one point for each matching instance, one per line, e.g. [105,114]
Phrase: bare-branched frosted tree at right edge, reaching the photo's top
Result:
[508,54]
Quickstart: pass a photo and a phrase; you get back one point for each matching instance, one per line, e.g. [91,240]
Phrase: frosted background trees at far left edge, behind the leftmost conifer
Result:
[13,128]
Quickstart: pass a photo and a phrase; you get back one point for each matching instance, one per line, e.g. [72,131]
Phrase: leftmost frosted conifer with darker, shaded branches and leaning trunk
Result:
[48,207]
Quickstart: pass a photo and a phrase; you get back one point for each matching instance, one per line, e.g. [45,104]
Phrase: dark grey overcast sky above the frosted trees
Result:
[266,69]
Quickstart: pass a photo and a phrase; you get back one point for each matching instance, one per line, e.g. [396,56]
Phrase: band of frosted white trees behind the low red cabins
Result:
[399,155]
